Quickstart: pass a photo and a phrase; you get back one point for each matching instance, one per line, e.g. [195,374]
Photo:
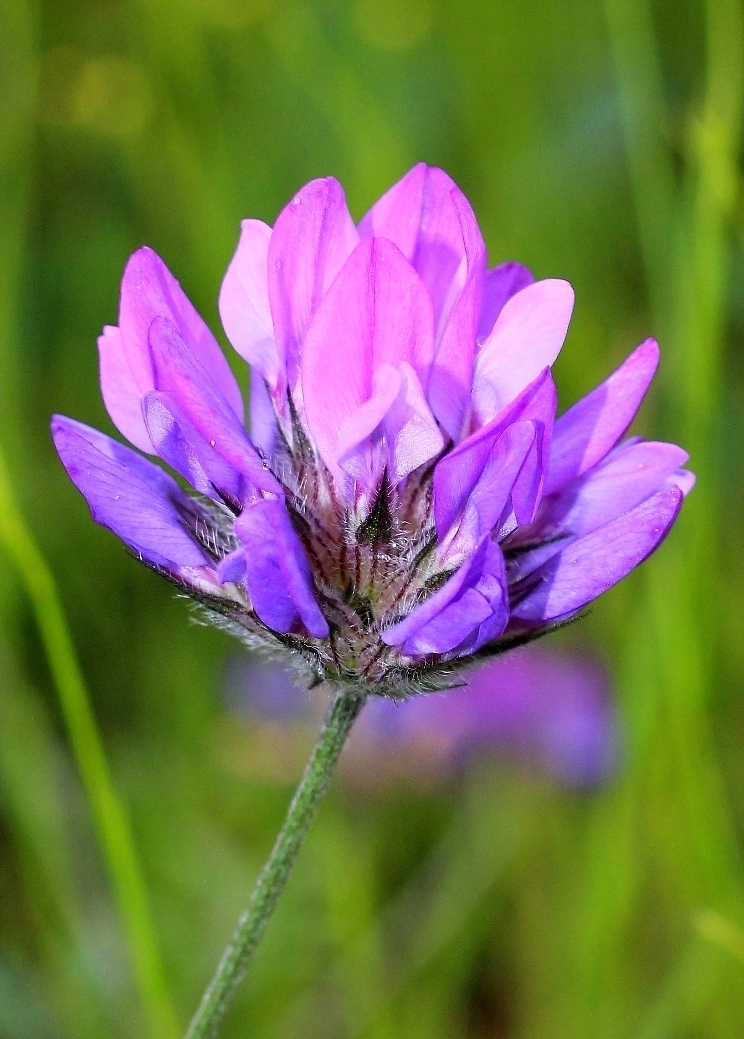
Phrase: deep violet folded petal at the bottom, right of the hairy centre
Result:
[471,608]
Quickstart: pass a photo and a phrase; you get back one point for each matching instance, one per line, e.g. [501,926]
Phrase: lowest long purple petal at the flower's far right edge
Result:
[594,564]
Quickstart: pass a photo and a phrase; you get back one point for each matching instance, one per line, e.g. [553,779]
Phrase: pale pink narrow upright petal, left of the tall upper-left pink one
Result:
[245,302]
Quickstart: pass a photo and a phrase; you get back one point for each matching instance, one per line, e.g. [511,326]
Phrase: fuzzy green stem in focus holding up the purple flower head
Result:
[277,870]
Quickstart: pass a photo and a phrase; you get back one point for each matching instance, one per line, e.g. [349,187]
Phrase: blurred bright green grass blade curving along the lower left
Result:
[109,811]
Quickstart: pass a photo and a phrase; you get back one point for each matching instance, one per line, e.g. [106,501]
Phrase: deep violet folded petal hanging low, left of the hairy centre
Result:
[278,575]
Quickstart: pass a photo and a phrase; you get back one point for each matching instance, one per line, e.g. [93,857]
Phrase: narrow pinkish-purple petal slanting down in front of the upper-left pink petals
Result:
[177,372]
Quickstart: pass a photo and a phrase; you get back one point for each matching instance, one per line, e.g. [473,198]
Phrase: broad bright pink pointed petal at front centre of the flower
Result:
[377,313]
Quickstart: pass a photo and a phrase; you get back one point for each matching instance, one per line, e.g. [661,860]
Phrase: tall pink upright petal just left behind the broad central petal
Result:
[312,241]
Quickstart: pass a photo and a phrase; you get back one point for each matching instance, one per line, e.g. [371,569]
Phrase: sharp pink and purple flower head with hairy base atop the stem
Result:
[407,502]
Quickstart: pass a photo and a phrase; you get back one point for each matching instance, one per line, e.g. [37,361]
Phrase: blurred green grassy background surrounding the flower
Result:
[599,141]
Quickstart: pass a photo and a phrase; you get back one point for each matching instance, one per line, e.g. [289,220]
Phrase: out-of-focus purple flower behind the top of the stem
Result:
[547,709]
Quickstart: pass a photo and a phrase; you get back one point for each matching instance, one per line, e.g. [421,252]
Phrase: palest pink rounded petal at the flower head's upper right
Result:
[526,339]
